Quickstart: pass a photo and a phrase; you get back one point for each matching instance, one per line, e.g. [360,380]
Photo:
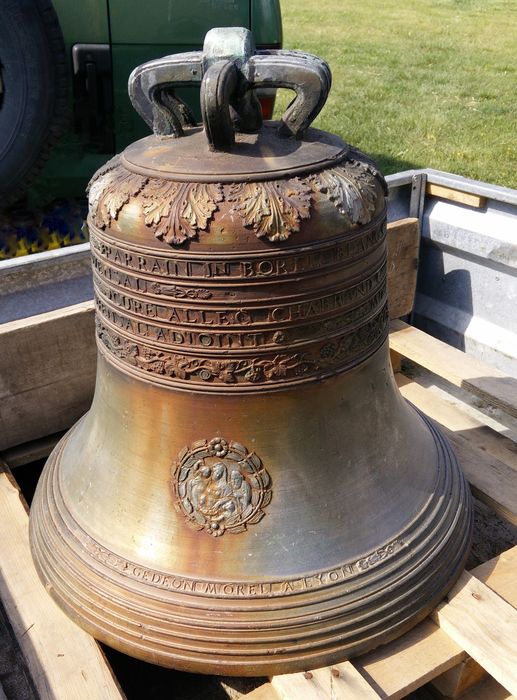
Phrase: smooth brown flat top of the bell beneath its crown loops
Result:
[255,157]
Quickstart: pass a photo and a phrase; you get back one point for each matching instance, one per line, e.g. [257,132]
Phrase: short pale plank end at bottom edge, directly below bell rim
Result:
[339,682]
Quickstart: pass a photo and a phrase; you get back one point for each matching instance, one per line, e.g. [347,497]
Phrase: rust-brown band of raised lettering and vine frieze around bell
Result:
[199,337]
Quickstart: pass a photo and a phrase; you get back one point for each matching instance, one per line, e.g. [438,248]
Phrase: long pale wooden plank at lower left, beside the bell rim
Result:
[64,661]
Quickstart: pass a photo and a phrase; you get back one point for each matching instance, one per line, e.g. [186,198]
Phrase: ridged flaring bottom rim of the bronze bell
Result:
[157,628]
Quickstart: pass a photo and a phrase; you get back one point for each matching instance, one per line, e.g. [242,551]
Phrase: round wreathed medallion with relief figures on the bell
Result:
[220,487]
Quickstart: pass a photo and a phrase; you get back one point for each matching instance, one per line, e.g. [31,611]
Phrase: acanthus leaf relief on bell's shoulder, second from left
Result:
[179,209]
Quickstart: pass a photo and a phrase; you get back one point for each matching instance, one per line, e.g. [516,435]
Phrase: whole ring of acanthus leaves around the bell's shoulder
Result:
[178,211]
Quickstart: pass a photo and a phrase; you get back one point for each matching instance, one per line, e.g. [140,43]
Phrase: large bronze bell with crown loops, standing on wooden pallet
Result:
[249,494]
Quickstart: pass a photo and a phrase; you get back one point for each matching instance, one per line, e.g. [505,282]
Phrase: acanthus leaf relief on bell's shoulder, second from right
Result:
[272,209]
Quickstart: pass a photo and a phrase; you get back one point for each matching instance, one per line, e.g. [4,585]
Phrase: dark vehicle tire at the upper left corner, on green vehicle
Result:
[33,104]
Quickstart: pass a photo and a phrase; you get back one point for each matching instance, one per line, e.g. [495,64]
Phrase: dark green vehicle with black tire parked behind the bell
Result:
[64,66]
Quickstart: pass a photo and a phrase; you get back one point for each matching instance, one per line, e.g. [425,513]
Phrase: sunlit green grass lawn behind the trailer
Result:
[418,83]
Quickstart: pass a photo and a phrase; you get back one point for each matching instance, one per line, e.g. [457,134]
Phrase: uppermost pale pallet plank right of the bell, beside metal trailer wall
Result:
[492,385]
